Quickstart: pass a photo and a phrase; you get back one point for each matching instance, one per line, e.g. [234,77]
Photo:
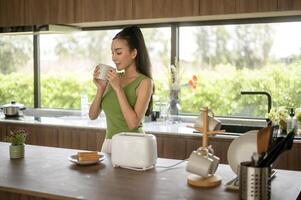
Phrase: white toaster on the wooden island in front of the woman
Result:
[135,151]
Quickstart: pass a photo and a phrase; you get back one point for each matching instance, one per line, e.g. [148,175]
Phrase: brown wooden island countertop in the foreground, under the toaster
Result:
[46,172]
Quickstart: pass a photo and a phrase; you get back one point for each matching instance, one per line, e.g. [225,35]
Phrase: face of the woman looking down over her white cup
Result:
[121,54]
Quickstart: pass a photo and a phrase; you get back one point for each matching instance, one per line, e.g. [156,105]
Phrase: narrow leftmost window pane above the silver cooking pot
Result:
[16,69]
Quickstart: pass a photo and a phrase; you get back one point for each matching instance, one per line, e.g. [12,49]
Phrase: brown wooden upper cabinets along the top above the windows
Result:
[34,12]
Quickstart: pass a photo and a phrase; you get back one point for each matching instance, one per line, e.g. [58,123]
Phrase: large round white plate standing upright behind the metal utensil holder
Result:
[241,149]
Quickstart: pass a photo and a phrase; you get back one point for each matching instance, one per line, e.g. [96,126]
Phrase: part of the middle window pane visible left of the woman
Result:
[67,64]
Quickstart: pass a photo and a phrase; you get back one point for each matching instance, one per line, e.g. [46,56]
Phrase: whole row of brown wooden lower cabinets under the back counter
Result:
[173,146]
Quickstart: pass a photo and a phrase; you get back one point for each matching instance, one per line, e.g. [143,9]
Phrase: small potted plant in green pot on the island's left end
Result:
[17,139]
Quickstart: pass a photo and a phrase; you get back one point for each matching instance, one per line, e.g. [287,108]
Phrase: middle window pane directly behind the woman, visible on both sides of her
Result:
[68,61]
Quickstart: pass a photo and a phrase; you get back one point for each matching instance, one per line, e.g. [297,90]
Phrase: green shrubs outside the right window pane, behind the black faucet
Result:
[222,93]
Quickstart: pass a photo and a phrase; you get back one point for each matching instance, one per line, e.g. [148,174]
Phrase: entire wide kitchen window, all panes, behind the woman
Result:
[216,63]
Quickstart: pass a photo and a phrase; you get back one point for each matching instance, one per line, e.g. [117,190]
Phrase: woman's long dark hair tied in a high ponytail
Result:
[135,40]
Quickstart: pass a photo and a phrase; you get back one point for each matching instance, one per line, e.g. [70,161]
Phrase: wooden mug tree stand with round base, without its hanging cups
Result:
[212,180]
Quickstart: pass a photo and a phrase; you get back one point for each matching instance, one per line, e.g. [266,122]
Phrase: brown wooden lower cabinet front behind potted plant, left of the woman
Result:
[58,136]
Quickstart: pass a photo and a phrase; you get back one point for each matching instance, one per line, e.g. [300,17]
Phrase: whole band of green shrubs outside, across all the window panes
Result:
[220,93]
